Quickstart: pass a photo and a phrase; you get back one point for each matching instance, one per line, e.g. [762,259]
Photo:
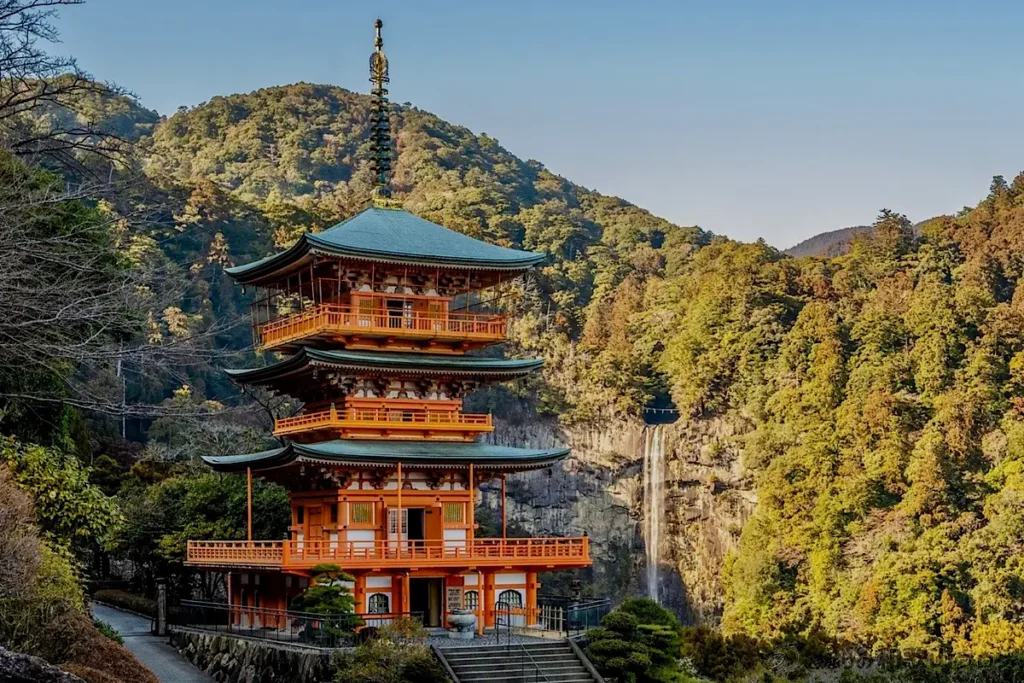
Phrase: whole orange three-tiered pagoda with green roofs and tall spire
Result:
[375,337]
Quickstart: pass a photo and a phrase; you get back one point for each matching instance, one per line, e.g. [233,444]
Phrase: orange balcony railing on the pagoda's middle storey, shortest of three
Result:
[385,419]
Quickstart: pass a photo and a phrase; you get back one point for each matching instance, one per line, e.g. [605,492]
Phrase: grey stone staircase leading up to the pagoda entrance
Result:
[556,662]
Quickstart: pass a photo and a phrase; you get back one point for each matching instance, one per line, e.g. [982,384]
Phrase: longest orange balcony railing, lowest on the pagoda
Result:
[369,554]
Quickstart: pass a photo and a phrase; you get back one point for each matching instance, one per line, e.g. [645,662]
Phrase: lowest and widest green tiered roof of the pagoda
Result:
[388,454]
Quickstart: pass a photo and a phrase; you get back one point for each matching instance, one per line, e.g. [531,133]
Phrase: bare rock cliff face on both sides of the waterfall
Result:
[599,491]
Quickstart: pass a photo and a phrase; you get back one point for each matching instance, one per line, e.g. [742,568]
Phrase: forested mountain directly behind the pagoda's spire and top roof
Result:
[259,169]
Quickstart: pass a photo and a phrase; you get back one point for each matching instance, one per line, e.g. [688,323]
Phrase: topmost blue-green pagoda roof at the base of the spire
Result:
[391,236]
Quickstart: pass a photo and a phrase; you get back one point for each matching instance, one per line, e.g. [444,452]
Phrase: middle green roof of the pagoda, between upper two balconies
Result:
[387,364]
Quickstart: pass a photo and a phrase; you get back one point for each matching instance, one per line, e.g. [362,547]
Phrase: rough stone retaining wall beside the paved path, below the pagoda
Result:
[231,660]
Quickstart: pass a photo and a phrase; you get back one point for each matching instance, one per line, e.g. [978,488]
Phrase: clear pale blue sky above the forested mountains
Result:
[752,118]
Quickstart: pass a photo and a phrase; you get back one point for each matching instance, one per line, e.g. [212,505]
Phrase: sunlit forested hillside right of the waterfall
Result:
[879,395]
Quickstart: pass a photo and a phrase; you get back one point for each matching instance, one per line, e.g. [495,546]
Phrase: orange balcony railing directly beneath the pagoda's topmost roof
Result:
[343,321]
